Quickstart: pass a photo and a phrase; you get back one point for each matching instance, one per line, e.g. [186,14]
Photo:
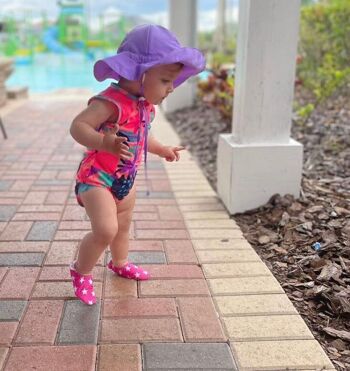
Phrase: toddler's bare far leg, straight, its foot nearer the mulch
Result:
[120,244]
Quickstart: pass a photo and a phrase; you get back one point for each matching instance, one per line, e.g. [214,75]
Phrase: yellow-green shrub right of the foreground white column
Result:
[324,47]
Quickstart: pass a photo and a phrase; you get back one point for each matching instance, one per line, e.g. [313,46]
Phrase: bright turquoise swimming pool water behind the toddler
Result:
[50,71]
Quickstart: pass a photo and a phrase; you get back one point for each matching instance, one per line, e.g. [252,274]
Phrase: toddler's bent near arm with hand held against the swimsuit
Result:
[83,129]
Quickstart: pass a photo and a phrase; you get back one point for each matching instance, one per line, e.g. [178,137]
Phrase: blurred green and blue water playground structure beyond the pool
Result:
[21,39]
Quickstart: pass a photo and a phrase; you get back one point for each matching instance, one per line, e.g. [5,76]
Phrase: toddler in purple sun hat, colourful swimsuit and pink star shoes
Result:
[114,127]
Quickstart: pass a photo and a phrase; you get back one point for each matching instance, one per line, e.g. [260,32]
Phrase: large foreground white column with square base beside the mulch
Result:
[259,158]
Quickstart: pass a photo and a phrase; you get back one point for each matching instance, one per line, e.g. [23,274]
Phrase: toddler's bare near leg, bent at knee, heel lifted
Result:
[102,211]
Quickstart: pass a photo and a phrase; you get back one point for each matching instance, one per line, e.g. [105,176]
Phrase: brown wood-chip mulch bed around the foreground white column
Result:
[305,242]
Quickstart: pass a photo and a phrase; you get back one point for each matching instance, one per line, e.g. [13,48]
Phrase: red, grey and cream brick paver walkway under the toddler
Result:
[211,304]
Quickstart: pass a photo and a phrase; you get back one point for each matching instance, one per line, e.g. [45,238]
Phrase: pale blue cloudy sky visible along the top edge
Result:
[152,10]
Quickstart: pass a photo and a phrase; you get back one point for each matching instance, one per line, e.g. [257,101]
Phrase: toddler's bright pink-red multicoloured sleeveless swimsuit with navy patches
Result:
[103,169]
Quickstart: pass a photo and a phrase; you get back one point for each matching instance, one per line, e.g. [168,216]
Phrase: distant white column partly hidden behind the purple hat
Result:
[183,23]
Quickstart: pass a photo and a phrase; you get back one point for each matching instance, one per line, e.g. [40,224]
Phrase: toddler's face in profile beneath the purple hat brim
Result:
[158,82]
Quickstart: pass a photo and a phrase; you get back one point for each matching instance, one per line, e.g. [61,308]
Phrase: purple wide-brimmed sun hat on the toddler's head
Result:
[147,46]
